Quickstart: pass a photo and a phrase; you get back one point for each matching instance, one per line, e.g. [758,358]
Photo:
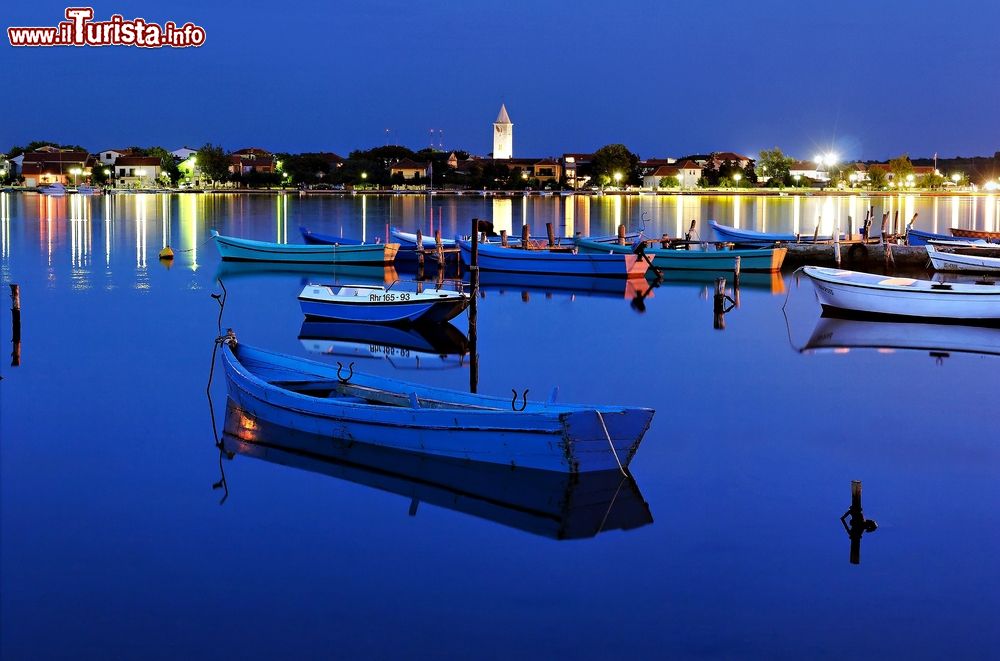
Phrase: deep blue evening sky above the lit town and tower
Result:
[871,79]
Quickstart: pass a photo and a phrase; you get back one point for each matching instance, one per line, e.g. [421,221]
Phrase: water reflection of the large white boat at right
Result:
[842,332]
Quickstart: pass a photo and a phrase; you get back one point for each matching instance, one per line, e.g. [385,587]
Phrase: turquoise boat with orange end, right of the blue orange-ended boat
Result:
[754,259]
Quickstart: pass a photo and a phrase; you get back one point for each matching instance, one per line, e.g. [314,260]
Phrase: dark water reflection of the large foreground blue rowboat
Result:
[550,504]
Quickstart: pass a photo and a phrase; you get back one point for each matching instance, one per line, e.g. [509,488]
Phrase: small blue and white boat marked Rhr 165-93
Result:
[377,304]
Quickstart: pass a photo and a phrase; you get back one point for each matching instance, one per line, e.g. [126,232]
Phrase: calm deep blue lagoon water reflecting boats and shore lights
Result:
[114,544]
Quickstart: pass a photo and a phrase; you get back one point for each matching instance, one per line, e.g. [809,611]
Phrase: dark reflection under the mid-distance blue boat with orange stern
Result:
[635,290]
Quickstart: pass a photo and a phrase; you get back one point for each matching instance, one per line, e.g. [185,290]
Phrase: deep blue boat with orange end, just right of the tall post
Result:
[562,262]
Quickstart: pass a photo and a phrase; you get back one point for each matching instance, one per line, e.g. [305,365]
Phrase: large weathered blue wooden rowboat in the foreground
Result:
[312,397]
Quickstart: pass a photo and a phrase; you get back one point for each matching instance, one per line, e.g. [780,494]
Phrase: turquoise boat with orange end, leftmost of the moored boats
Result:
[236,249]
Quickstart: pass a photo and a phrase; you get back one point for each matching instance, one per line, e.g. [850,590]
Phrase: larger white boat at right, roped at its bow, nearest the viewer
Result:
[868,293]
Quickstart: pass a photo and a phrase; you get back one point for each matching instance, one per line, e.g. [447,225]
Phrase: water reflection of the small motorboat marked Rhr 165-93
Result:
[426,346]
